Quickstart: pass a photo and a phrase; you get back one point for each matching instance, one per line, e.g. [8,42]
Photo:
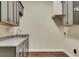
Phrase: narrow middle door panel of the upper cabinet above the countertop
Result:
[10,11]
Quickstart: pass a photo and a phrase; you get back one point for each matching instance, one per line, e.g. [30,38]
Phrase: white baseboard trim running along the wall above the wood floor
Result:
[46,50]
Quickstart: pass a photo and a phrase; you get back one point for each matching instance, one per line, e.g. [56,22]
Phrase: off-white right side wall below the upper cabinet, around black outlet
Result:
[73,41]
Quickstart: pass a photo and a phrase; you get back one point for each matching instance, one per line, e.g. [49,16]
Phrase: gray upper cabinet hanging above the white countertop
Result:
[11,11]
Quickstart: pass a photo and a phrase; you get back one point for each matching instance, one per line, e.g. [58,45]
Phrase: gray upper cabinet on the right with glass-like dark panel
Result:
[70,13]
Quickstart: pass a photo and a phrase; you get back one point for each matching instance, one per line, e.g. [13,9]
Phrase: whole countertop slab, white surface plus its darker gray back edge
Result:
[13,40]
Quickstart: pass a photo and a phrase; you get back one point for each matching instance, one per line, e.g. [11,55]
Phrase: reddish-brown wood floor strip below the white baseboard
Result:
[47,54]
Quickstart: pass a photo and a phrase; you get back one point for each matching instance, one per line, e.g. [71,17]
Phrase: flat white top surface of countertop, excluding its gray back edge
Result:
[12,42]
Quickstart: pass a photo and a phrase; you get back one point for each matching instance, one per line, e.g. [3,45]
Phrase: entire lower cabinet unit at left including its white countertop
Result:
[15,46]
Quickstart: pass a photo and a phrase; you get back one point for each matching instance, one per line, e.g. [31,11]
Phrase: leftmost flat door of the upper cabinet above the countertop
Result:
[4,10]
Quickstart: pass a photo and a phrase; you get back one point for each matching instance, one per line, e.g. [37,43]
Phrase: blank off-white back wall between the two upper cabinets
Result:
[37,21]
